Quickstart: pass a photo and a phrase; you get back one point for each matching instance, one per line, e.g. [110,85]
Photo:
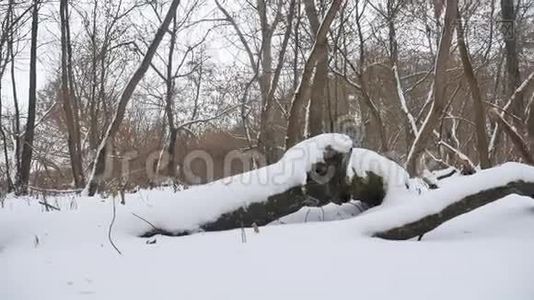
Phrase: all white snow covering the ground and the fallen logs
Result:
[485,254]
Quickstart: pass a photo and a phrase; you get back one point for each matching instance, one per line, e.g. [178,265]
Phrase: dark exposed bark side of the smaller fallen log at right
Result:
[430,222]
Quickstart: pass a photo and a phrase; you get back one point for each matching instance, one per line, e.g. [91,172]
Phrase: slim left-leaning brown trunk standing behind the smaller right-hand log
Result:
[476,95]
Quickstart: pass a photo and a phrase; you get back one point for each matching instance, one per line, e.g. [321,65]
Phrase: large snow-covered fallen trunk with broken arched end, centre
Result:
[337,176]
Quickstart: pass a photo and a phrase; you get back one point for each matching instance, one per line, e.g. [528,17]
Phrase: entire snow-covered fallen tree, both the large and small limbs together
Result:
[322,170]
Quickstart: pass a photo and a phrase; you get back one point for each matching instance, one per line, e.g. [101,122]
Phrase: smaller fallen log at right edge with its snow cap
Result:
[416,215]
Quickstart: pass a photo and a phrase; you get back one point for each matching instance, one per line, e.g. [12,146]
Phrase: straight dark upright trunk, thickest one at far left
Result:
[27,147]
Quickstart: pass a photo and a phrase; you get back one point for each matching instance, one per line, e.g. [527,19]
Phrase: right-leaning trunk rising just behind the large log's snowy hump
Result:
[297,120]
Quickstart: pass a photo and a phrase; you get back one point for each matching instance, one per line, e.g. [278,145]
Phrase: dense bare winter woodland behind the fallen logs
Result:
[429,84]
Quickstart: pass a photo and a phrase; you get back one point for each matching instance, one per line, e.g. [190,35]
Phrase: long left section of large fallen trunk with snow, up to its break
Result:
[310,171]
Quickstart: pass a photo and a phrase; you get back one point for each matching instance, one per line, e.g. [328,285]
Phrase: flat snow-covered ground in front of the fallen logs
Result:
[485,254]
